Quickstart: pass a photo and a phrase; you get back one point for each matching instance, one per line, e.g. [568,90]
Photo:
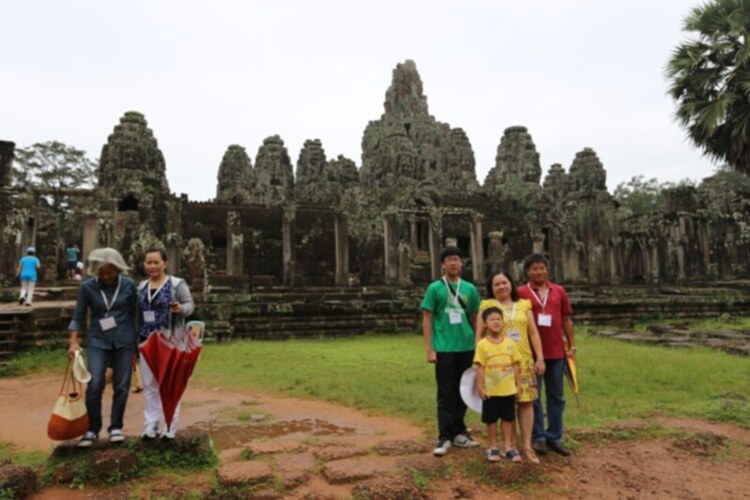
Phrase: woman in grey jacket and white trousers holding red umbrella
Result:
[163,302]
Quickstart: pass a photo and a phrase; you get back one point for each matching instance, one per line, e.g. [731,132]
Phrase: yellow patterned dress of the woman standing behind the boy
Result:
[516,327]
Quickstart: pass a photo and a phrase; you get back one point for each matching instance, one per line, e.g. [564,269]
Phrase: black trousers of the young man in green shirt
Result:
[451,408]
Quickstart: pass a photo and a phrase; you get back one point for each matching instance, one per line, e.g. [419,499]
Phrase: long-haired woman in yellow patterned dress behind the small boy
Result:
[518,326]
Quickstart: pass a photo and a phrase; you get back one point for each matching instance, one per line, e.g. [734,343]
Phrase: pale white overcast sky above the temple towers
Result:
[576,73]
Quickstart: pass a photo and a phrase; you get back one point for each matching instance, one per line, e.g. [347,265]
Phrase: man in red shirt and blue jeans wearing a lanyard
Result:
[553,316]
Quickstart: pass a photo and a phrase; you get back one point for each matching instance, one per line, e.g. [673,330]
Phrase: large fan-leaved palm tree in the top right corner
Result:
[710,81]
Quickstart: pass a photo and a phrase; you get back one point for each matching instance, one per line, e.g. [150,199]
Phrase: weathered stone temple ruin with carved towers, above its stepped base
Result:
[384,222]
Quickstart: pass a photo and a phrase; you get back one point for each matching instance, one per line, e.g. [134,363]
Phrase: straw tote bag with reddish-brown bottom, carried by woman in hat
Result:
[69,418]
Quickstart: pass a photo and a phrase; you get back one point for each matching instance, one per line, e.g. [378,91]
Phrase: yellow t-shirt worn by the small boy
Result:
[497,361]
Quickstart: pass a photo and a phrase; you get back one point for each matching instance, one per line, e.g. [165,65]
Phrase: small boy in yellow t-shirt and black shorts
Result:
[497,359]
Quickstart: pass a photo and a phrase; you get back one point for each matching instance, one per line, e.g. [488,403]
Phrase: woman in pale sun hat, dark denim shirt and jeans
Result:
[110,299]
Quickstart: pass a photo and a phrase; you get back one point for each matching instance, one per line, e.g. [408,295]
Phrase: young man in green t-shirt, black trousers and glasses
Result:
[449,308]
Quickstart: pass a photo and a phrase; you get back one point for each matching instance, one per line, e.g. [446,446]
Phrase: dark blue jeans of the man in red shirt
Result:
[553,390]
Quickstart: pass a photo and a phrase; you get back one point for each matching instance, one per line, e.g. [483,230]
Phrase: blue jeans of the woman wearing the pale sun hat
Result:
[122,368]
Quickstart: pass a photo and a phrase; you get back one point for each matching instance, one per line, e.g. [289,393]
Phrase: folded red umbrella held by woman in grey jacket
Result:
[172,358]
